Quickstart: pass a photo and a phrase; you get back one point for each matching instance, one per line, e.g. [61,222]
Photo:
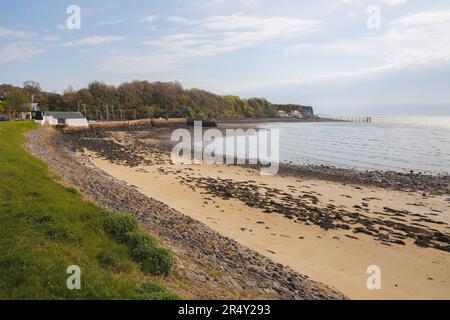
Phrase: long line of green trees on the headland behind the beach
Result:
[135,100]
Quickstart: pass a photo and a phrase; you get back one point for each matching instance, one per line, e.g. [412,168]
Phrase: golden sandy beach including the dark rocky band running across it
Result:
[413,266]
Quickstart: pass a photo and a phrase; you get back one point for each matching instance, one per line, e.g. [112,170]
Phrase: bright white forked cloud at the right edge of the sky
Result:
[410,42]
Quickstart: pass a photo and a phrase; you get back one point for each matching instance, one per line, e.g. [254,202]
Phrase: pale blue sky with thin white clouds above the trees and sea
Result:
[344,57]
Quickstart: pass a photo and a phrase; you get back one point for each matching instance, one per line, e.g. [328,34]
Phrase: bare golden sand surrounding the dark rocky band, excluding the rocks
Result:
[336,257]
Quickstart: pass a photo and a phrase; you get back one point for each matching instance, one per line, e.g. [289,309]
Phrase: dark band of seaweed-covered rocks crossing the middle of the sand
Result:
[389,228]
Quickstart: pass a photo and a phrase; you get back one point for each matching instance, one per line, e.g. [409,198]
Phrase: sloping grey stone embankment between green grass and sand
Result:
[203,257]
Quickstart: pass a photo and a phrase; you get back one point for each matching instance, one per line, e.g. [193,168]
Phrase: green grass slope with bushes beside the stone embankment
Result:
[45,228]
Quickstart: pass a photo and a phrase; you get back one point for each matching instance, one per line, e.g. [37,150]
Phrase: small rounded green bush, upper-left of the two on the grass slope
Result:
[121,227]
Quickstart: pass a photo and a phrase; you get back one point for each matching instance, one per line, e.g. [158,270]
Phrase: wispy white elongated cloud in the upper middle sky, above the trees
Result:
[209,37]
